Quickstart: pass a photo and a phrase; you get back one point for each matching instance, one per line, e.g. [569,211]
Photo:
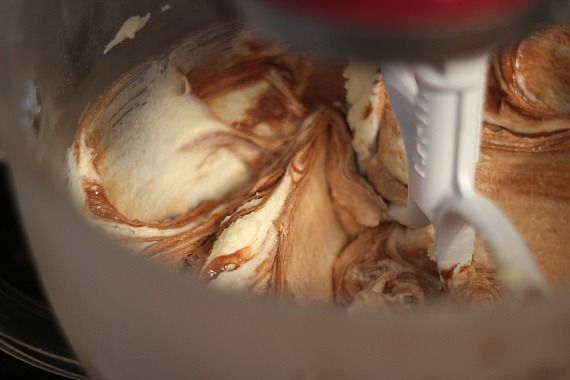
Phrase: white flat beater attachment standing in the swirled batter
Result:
[438,107]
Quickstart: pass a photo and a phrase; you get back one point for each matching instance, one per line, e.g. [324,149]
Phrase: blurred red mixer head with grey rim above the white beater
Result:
[403,29]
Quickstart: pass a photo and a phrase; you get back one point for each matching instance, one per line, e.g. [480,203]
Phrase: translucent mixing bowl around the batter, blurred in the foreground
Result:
[129,318]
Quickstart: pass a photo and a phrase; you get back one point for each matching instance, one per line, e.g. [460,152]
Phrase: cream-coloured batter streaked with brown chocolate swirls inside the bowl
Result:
[239,165]
